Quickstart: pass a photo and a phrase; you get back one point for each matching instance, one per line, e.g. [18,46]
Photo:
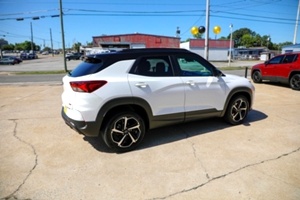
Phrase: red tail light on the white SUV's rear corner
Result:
[86,86]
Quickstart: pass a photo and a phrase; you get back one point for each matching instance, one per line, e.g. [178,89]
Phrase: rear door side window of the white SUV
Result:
[154,66]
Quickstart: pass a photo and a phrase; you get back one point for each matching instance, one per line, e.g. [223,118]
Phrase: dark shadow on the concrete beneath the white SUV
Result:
[164,135]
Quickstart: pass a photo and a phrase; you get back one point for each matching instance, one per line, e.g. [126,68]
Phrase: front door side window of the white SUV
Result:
[193,66]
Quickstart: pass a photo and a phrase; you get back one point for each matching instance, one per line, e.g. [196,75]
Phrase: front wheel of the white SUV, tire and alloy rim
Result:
[237,110]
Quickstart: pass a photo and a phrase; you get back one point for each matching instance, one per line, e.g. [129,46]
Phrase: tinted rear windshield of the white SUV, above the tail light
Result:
[88,66]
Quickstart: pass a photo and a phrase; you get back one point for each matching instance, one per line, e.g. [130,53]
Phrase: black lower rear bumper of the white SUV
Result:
[90,129]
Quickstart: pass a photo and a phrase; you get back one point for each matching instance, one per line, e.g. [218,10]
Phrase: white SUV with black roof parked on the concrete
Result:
[121,95]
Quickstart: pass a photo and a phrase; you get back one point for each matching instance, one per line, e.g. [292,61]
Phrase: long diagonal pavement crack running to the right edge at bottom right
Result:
[227,174]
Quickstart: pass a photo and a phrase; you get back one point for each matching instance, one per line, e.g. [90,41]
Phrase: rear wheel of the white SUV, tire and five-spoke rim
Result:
[124,131]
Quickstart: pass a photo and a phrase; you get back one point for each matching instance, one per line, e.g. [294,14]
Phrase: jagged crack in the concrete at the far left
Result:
[12,195]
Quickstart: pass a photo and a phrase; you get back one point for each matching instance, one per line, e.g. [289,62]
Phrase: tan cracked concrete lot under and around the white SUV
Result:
[41,158]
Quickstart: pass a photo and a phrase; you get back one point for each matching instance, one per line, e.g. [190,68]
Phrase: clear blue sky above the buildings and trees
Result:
[84,19]
